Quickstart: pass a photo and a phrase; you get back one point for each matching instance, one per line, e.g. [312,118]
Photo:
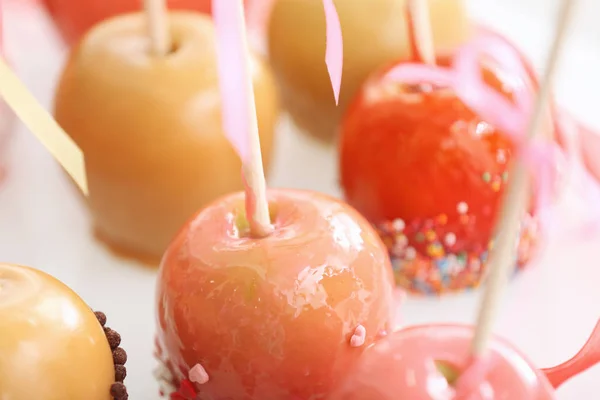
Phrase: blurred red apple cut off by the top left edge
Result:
[74,18]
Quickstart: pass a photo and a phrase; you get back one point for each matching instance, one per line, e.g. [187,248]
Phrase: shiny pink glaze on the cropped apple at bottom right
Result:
[402,366]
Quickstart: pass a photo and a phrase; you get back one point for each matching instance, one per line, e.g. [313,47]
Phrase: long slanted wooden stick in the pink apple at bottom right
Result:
[516,200]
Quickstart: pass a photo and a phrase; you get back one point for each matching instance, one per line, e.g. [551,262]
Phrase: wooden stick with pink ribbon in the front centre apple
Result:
[239,108]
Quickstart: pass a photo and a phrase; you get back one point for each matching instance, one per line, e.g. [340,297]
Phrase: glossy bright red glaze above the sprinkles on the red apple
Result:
[416,152]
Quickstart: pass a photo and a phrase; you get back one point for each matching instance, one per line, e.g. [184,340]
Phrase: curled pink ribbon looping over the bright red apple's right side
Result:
[543,156]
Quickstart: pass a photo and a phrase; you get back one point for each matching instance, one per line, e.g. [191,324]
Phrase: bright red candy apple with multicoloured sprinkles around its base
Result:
[429,173]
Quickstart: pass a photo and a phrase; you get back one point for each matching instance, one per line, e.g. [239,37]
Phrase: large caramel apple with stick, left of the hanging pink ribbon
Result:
[150,128]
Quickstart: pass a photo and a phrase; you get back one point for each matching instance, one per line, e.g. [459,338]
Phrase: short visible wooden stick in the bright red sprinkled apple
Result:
[420,26]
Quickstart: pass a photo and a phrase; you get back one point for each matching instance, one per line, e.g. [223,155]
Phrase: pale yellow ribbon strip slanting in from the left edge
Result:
[42,125]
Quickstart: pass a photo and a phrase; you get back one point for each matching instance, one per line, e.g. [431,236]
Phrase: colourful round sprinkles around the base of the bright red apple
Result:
[428,259]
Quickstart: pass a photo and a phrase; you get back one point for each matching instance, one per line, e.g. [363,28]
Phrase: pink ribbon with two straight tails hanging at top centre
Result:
[235,80]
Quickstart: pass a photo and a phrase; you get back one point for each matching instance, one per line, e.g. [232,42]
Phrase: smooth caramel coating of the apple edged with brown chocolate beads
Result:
[51,344]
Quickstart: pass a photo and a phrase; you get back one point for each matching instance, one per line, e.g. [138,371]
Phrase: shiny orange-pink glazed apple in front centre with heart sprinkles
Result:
[282,317]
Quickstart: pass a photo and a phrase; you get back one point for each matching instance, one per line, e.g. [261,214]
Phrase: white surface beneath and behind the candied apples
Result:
[549,311]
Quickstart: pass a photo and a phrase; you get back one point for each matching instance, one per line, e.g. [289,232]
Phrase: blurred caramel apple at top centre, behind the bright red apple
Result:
[375,33]
